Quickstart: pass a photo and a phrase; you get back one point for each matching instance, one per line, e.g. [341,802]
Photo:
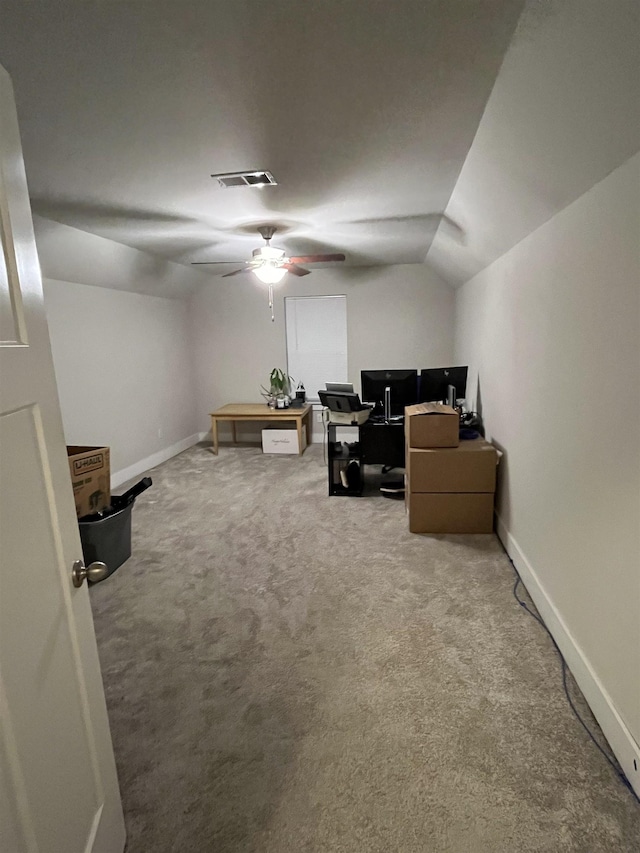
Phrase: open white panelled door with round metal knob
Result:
[58,784]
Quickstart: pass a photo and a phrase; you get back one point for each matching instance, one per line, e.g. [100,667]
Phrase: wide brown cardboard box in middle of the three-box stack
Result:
[470,467]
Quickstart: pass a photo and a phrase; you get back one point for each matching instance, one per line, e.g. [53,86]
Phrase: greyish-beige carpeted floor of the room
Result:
[288,672]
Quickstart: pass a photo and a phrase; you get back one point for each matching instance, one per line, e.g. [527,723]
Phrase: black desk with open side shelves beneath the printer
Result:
[373,443]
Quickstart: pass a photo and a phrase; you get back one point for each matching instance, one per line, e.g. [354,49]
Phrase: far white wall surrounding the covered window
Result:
[397,317]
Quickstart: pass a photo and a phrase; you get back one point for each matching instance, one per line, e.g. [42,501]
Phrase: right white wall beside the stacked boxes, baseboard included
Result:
[552,332]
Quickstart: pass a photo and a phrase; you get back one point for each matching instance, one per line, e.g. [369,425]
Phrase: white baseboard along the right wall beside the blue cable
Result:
[621,741]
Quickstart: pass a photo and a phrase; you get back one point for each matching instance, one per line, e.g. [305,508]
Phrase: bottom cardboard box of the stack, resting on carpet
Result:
[450,512]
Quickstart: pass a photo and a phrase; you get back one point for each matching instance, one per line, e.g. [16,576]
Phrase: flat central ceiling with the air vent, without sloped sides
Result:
[364,111]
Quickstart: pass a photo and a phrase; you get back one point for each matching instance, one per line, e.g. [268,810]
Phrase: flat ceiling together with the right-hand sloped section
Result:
[384,123]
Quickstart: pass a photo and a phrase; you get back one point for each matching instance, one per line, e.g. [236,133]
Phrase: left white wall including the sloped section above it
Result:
[121,346]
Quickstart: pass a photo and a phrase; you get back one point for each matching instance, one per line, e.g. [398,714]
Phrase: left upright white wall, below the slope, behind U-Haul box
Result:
[124,372]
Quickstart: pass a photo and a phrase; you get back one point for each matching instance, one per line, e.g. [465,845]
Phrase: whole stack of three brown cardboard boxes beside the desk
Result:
[450,485]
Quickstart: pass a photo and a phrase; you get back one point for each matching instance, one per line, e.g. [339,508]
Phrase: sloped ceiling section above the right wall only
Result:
[564,113]
